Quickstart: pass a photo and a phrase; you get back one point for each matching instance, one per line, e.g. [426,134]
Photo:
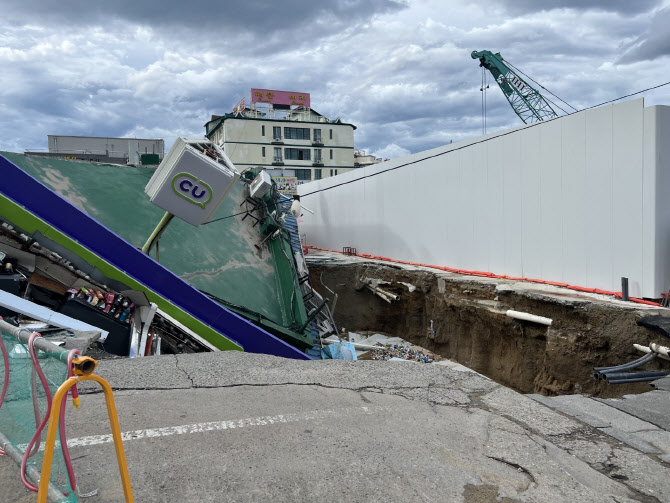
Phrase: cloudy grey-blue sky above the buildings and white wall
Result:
[400,70]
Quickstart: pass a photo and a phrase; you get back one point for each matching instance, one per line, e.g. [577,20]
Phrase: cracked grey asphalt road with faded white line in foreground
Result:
[238,427]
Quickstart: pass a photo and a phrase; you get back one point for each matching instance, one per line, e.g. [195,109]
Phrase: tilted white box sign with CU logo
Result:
[192,180]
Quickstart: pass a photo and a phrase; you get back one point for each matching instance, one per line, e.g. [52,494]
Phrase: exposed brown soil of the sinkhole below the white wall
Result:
[469,326]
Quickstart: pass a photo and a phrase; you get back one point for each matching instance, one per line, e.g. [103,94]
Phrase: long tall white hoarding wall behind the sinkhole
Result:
[582,200]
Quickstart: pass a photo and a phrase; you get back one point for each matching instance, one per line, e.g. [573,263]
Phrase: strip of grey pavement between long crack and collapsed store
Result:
[233,368]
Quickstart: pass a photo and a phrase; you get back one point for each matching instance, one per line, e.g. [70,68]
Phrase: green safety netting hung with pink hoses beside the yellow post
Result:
[17,413]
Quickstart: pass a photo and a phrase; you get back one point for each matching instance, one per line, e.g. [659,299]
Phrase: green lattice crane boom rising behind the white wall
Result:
[526,101]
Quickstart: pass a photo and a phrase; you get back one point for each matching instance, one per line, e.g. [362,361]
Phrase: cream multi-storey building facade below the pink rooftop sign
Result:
[296,142]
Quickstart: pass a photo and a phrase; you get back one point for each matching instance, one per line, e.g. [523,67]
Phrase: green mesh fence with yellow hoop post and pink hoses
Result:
[37,376]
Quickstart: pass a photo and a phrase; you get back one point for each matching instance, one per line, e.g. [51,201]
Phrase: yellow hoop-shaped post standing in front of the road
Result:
[50,443]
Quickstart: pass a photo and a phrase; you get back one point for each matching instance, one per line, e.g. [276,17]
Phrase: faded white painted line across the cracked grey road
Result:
[221,425]
